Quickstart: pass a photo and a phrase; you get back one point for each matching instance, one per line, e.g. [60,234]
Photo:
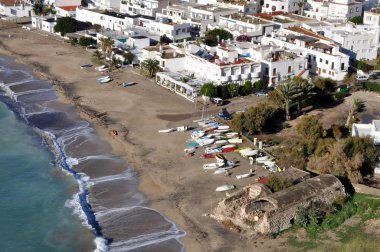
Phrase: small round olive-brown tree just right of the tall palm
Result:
[309,128]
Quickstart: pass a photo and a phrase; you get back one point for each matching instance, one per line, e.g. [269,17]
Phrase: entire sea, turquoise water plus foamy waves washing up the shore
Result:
[84,178]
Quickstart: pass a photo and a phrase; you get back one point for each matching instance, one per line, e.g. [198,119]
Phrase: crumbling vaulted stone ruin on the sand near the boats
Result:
[255,209]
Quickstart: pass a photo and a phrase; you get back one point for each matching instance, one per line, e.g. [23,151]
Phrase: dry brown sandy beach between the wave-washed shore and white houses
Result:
[175,185]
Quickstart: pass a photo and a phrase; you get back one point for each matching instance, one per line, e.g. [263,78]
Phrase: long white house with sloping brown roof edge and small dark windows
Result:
[323,55]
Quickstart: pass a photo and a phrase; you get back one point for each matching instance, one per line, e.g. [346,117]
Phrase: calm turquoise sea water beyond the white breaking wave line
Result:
[33,194]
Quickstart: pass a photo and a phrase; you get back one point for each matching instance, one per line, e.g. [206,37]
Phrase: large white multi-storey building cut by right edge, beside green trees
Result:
[358,41]
